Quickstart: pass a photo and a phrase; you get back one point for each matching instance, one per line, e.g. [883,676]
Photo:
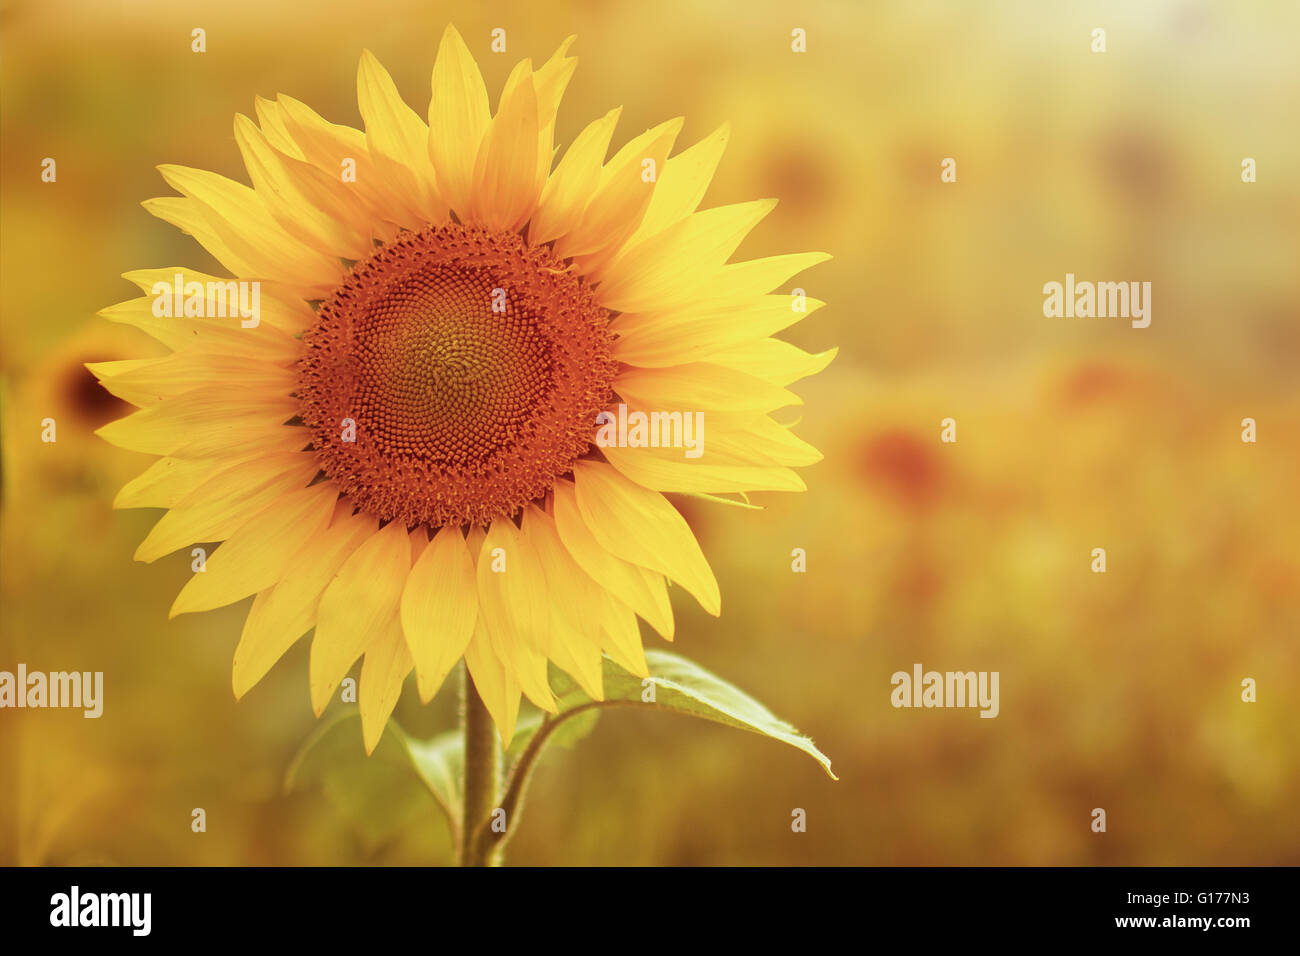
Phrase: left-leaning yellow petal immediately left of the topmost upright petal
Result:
[400,144]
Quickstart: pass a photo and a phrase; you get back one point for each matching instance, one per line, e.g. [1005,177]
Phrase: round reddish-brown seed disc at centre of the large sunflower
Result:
[454,377]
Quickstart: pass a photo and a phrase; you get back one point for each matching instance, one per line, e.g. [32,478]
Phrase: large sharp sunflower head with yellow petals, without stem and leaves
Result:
[398,445]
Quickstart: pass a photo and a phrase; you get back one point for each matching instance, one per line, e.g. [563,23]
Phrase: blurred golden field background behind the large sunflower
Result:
[1123,691]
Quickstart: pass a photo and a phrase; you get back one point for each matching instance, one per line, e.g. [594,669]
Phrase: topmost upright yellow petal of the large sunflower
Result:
[458,119]
